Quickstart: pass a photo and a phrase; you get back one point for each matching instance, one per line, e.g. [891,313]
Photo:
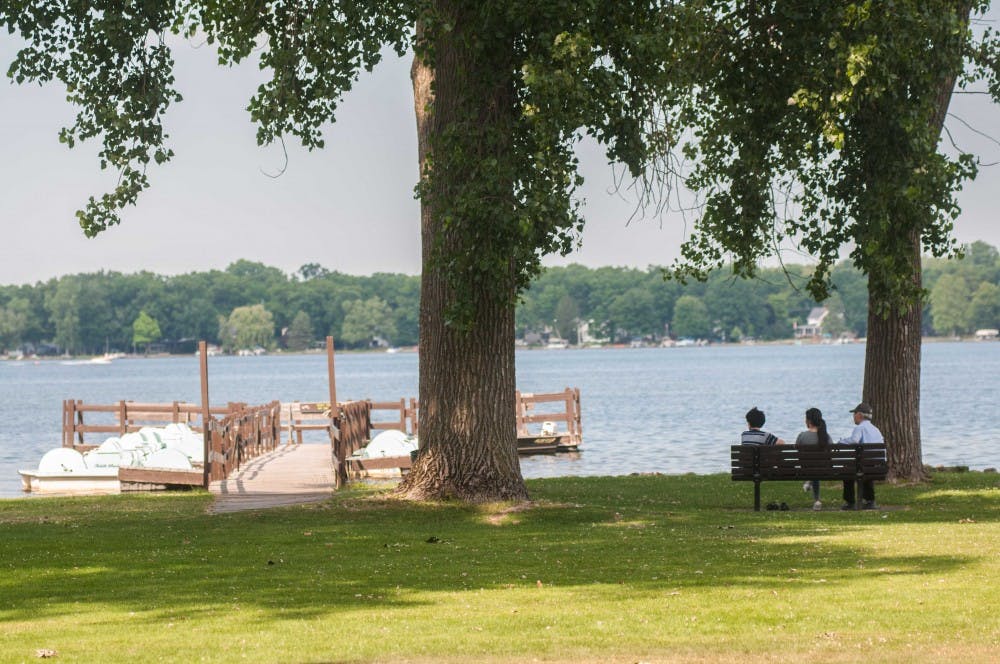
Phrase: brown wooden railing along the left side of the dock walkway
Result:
[239,436]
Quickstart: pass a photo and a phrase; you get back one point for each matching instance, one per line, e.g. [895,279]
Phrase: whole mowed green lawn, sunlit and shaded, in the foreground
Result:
[620,569]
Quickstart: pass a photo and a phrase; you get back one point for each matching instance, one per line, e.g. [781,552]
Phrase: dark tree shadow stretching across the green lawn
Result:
[163,557]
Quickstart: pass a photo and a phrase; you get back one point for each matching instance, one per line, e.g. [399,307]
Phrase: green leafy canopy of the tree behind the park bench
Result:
[819,123]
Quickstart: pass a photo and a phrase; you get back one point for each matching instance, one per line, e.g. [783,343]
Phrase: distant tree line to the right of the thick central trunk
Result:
[620,304]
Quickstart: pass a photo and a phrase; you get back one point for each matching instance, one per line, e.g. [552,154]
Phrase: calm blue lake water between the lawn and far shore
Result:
[670,410]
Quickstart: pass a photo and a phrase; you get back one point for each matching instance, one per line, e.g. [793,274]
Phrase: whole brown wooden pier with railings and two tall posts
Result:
[247,467]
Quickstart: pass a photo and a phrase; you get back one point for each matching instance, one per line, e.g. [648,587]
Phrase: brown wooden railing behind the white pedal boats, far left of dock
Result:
[123,417]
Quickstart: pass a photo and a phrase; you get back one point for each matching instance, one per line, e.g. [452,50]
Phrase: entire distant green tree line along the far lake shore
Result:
[249,305]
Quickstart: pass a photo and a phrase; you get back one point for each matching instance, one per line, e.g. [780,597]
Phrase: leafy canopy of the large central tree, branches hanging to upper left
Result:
[572,68]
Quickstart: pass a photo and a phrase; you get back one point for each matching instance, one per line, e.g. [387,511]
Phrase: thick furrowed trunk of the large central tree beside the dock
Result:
[468,443]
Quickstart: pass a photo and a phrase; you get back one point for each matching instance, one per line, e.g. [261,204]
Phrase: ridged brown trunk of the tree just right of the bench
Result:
[892,378]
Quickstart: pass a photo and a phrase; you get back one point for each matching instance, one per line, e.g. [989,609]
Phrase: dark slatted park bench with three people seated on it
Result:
[852,463]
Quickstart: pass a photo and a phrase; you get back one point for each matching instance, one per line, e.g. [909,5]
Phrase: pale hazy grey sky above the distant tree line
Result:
[349,207]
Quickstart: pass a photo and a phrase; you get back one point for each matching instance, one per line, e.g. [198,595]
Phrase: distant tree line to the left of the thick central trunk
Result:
[246,305]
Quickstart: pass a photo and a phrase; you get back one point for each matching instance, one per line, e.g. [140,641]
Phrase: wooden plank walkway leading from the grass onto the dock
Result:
[289,475]
